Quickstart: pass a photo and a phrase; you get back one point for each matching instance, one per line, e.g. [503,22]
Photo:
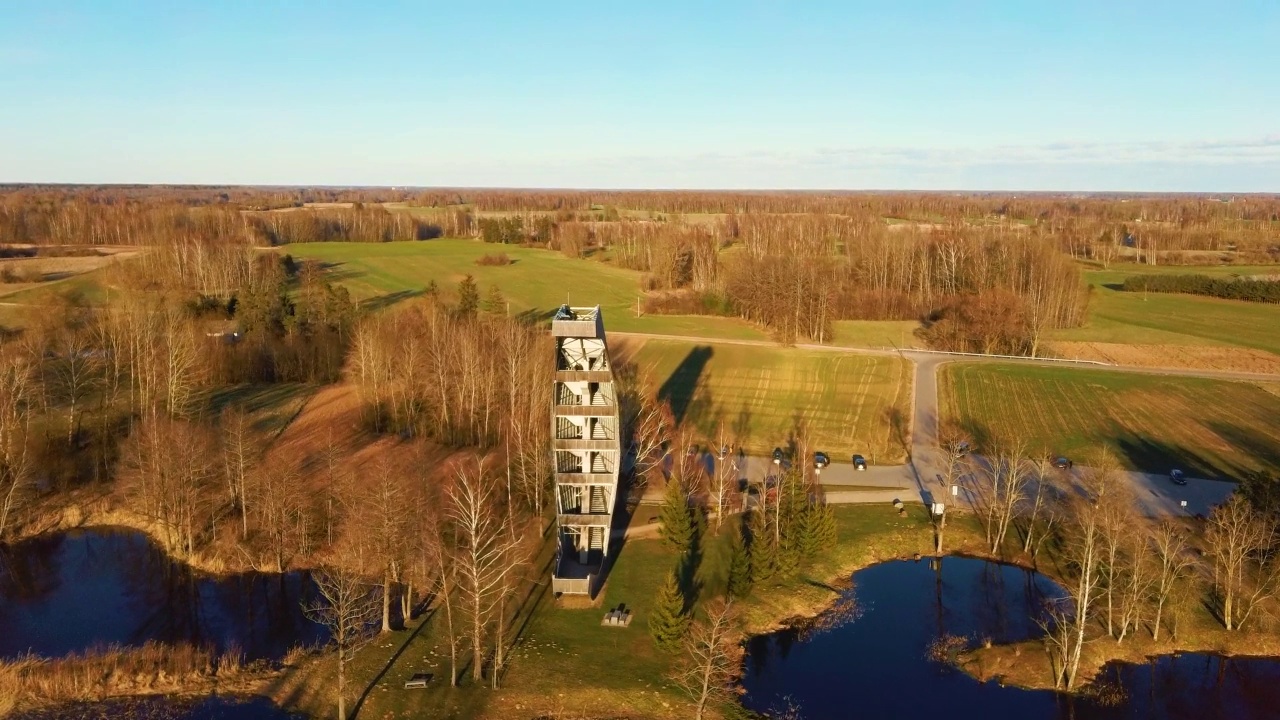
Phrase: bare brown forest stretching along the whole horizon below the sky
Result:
[984,272]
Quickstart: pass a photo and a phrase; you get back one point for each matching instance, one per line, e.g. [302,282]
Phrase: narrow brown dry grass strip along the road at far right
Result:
[1178,357]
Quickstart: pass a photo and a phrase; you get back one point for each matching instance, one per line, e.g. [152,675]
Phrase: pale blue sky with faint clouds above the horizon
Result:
[925,95]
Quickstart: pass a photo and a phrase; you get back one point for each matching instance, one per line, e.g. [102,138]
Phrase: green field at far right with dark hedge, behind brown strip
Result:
[1176,320]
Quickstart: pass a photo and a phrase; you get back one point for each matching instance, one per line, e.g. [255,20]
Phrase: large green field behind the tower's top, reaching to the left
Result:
[538,281]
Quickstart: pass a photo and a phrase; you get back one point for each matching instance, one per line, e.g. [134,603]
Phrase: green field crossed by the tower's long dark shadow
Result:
[764,395]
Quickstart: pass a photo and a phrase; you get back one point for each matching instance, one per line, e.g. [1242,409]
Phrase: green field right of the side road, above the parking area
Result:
[1209,429]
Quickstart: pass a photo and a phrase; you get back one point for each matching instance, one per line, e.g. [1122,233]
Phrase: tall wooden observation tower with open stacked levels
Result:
[586,446]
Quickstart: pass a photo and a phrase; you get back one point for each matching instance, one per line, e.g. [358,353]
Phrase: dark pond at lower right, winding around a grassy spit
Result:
[876,664]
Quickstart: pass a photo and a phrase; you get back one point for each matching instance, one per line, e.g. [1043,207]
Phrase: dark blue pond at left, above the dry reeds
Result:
[71,591]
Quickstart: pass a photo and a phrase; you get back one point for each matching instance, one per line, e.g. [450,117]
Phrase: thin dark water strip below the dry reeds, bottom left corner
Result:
[164,709]
